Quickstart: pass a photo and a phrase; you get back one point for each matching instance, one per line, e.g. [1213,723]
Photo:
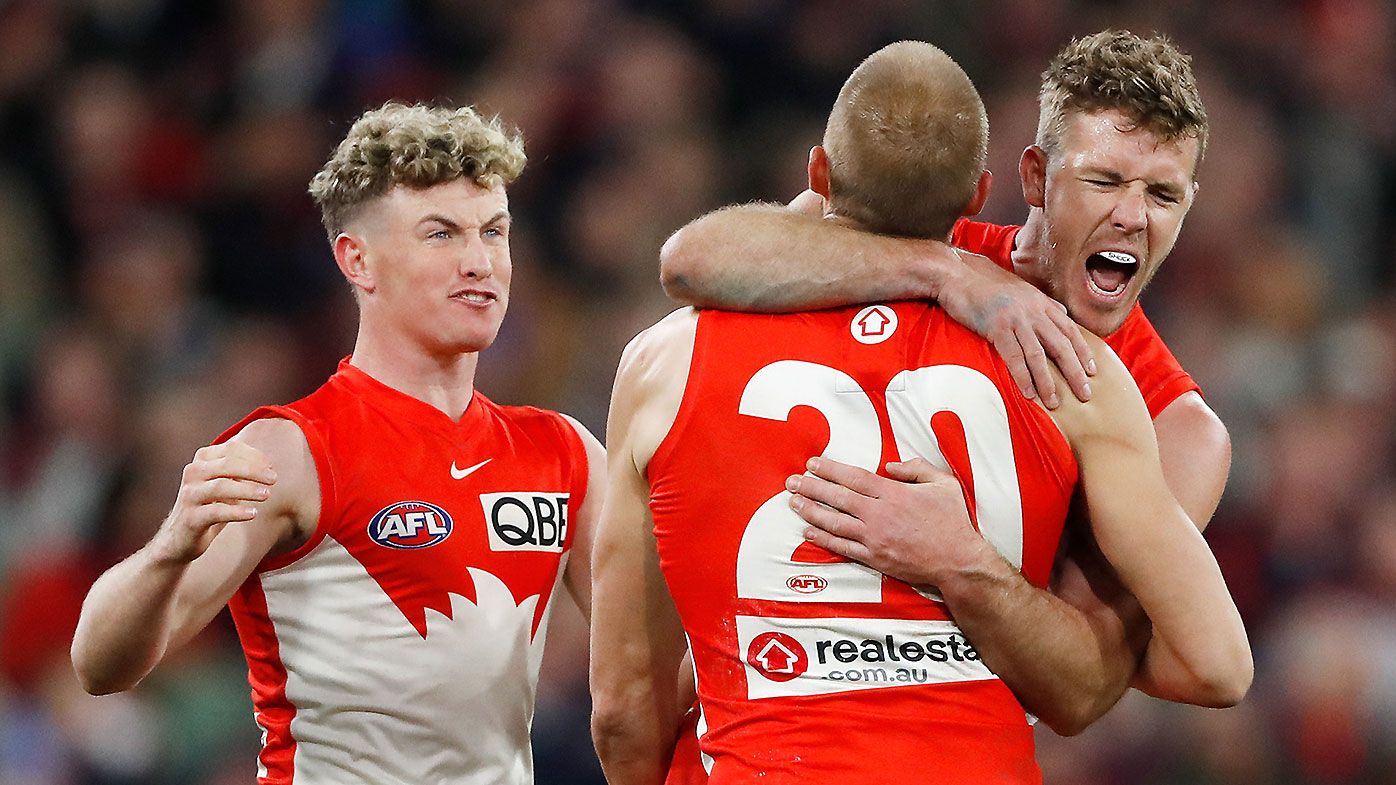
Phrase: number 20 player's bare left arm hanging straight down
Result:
[639,643]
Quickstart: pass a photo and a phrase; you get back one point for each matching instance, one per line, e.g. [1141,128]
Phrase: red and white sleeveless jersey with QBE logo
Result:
[401,645]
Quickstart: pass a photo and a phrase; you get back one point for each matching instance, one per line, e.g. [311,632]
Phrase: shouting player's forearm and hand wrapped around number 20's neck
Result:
[767,258]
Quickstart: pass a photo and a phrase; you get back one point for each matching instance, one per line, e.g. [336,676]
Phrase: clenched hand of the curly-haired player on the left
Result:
[223,485]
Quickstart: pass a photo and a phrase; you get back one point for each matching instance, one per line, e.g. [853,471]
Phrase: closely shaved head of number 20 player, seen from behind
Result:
[907,142]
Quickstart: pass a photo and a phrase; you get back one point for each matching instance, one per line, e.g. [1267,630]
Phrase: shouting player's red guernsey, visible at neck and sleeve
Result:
[1158,374]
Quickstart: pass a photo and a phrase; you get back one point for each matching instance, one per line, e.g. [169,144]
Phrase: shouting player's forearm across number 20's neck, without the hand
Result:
[766,258]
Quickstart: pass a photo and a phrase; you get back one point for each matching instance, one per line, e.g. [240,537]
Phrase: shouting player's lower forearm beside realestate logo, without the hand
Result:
[1066,667]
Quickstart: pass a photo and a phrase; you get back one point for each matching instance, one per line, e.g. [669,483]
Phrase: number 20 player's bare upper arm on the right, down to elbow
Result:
[1152,544]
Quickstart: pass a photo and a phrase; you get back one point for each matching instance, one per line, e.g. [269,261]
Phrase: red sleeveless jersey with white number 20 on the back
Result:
[812,668]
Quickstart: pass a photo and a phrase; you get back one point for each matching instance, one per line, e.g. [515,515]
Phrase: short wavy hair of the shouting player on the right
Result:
[1150,80]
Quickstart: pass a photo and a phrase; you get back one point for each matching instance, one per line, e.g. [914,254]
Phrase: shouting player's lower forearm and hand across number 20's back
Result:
[1060,661]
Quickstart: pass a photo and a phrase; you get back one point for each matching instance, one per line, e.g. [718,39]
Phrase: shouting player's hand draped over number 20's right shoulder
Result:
[1028,329]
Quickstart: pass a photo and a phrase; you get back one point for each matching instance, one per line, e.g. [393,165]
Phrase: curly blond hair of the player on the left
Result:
[418,147]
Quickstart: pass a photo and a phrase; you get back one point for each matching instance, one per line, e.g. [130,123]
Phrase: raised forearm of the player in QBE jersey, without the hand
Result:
[126,624]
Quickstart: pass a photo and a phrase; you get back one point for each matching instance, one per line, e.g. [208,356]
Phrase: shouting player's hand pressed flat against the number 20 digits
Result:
[915,527]
